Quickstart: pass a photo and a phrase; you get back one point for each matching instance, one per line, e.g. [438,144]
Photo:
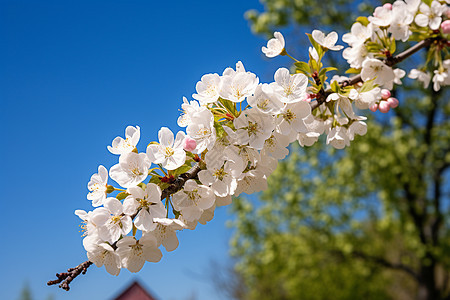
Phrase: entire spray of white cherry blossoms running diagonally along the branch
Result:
[237,128]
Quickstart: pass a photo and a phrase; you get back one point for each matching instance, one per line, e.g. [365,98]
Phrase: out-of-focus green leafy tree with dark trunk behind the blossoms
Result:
[367,222]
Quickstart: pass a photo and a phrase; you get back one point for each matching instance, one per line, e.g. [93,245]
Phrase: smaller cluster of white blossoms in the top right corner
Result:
[411,20]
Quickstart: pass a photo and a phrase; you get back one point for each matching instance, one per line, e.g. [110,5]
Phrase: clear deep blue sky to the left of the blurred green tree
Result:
[73,75]
